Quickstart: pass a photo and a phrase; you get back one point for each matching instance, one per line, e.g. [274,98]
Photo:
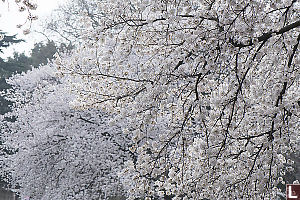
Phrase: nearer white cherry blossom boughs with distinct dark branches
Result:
[208,90]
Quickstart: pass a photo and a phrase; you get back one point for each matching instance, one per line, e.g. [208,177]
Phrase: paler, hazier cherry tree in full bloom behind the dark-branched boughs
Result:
[53,151]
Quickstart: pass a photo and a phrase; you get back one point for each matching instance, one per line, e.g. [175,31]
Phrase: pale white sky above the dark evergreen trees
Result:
[11,17]
